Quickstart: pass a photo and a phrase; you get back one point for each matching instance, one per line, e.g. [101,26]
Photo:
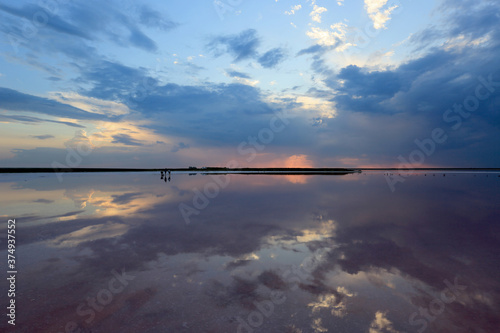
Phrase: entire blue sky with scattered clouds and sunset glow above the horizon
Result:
[304,83]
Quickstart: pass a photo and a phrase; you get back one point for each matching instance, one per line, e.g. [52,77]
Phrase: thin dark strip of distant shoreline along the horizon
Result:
[220,170]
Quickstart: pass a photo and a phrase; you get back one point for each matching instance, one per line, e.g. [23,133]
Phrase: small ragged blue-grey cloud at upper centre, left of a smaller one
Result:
[241,46]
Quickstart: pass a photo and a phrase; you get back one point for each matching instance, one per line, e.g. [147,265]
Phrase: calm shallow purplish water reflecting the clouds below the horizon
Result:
[114,253]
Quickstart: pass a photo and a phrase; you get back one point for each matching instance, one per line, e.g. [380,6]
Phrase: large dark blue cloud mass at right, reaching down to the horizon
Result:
[410,100]
